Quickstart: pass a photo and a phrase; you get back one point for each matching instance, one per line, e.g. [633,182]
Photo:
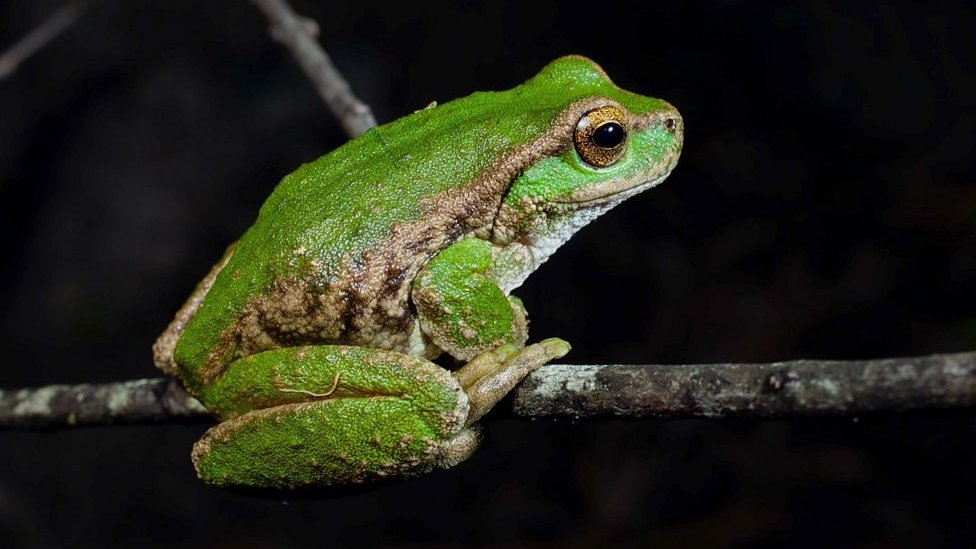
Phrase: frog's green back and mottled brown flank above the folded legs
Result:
[336,245]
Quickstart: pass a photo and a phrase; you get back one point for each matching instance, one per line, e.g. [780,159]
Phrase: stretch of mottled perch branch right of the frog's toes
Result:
[781,389]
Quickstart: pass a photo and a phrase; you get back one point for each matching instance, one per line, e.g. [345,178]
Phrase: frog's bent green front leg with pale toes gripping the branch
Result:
[464,312]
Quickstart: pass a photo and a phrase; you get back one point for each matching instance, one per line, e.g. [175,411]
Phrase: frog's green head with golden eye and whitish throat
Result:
[603,145]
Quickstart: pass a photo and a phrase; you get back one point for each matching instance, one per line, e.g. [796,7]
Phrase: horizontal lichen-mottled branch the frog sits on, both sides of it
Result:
[777,390]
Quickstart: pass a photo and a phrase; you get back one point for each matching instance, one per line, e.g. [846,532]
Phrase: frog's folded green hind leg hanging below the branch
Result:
[326,415]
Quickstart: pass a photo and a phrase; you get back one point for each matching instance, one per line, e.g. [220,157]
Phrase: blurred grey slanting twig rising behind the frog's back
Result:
[298,35]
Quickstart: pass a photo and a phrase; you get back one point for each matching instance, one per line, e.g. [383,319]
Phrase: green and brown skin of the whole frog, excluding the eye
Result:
[311,339]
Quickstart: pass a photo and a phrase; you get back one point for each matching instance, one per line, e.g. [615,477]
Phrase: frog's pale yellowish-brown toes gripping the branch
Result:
[488,377]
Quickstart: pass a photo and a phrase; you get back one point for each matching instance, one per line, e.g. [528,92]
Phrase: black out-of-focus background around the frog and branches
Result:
[823,208]
